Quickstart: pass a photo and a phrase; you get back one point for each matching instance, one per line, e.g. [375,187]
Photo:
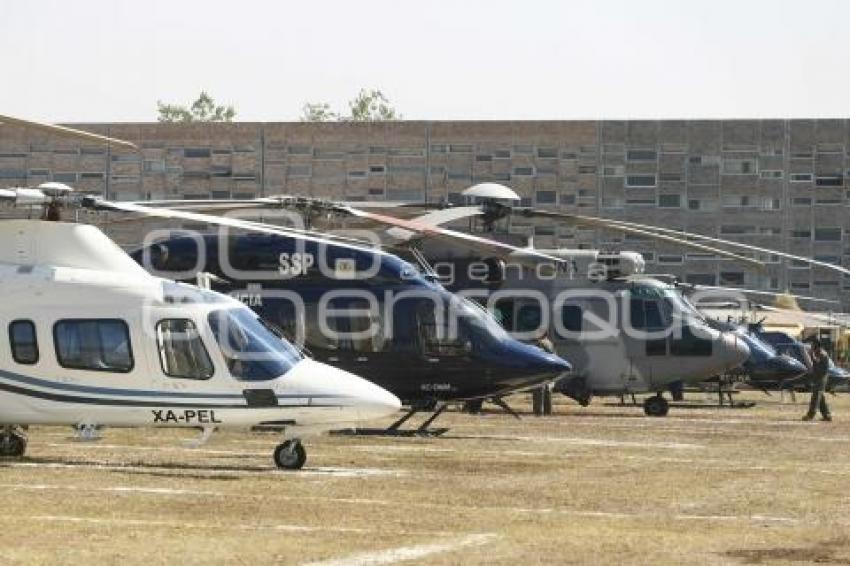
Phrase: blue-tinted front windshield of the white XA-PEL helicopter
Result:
[252,351]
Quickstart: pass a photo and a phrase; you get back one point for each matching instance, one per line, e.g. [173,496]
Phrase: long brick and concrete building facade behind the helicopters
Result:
[773,183]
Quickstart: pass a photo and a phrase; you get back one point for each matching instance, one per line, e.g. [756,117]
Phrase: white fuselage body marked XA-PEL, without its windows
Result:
[49,288]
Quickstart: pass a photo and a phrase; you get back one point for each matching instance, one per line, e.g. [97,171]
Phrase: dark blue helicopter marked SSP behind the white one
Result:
[356,308]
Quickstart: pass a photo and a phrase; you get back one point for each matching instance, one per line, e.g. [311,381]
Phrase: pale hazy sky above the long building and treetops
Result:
[98,61]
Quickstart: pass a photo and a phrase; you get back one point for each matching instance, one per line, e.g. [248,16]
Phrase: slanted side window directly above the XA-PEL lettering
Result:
[181,351]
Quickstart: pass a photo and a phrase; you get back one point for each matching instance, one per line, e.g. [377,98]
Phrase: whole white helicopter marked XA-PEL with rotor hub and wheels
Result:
[93,340]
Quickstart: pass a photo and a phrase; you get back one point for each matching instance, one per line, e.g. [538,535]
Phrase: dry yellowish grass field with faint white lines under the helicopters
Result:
[603,484]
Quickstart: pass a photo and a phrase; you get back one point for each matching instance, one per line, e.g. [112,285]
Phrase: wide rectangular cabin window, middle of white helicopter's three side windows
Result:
[93,344]
